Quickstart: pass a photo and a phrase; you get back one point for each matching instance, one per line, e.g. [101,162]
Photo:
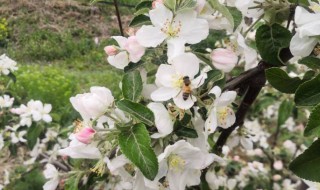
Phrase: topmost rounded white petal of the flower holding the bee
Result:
[186,64]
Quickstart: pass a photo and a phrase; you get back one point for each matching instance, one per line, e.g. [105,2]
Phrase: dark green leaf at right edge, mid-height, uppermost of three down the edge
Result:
[308,93]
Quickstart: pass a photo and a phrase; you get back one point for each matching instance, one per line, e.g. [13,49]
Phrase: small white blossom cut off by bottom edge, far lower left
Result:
[52,174]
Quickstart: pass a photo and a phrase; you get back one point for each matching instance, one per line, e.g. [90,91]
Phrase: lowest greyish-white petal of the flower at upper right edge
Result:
[302,46]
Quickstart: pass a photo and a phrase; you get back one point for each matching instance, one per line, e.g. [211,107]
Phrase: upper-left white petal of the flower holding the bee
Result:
[165,75]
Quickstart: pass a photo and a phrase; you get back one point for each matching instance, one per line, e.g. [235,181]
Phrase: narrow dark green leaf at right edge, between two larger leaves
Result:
[313,125]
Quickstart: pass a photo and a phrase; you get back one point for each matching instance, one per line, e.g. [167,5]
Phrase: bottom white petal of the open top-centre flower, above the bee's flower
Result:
[175,48]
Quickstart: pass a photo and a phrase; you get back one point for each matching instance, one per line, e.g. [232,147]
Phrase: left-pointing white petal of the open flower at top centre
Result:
[150,36]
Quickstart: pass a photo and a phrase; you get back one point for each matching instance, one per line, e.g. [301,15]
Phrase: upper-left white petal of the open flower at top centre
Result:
[160,15]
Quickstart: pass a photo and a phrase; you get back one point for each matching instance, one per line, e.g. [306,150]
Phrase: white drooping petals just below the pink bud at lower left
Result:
[78,149]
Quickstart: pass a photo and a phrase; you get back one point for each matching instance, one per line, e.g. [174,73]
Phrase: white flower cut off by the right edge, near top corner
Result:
[307,32]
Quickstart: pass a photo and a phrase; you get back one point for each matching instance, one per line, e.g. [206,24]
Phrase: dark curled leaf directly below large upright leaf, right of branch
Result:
[281,81]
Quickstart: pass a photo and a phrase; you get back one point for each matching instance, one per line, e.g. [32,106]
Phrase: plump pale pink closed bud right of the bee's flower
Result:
[224,59]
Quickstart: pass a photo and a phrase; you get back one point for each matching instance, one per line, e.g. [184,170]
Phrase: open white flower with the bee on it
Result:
[170,80]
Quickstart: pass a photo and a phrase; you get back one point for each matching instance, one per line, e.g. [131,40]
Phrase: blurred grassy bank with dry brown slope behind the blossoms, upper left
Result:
[59,45]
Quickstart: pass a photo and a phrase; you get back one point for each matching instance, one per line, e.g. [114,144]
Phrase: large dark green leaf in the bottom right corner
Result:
[307,164]
